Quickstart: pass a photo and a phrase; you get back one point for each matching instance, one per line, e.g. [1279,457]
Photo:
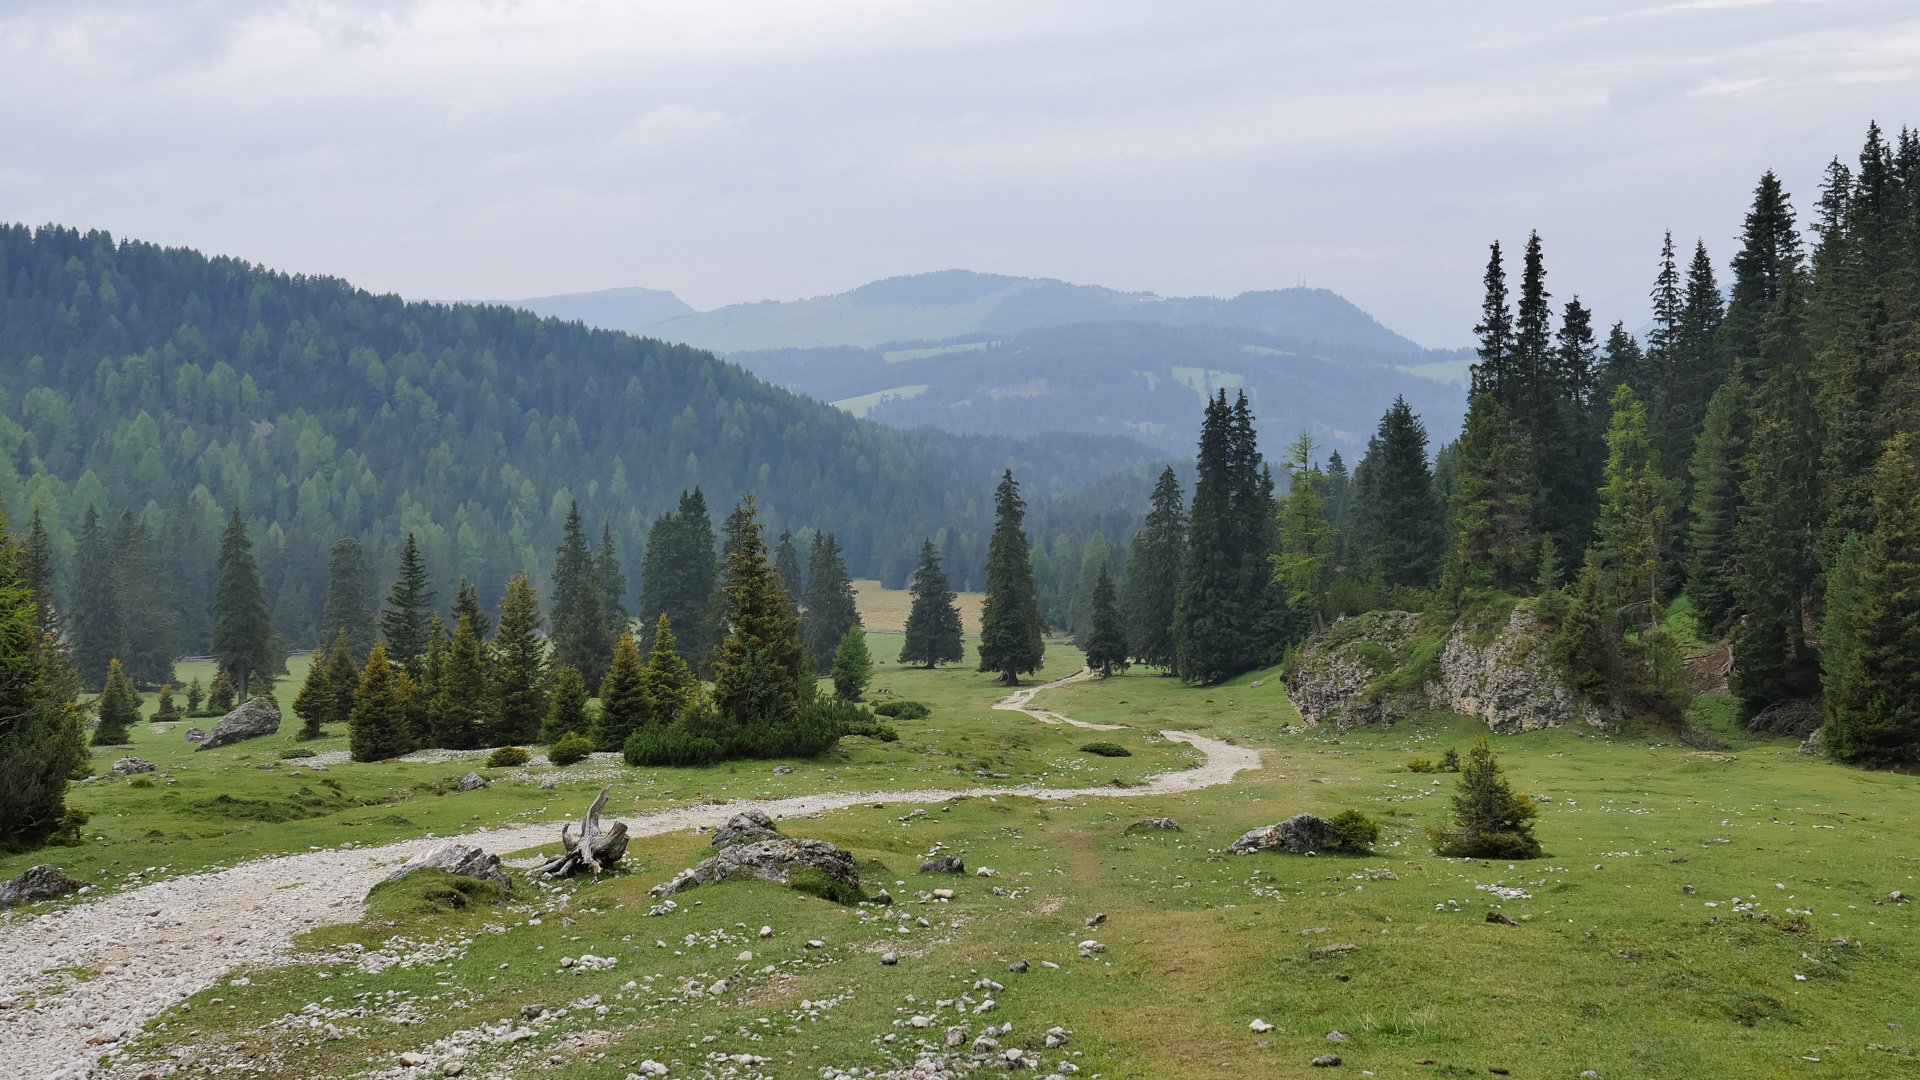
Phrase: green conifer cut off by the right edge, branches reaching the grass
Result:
[1875,720]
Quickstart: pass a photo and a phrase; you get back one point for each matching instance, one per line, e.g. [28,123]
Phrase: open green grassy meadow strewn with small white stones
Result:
[1696,914]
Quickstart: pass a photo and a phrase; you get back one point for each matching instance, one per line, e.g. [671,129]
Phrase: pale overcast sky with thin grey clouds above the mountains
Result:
[750,151]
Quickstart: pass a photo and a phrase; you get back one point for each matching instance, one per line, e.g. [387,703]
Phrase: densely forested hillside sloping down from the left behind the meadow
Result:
[183,387]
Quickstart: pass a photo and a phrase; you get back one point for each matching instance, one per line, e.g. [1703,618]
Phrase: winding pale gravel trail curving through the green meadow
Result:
[162,943]
